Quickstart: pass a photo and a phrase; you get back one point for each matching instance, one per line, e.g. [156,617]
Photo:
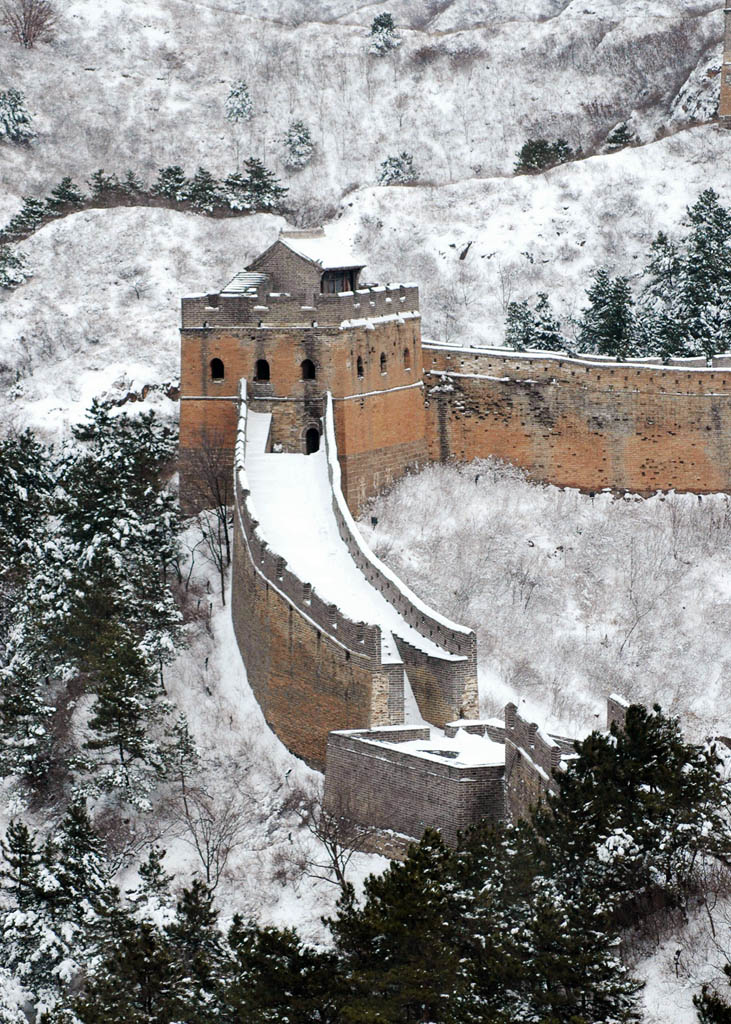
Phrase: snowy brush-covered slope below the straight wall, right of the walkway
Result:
[572,598]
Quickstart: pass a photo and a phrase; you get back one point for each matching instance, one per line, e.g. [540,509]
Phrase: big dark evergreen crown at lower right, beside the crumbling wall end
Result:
[636,815]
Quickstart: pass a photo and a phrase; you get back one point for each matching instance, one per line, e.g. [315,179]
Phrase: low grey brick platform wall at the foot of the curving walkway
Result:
[391,789]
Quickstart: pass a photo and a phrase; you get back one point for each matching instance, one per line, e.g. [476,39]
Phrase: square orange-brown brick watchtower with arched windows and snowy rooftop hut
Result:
[296,324]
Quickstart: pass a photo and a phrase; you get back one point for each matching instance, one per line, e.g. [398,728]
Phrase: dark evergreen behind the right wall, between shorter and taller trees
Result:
[608,325]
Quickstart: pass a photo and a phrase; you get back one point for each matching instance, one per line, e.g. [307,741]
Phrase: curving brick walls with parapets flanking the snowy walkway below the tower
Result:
[312,667]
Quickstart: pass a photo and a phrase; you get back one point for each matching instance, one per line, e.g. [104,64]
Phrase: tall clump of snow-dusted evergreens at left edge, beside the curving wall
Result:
[92,539]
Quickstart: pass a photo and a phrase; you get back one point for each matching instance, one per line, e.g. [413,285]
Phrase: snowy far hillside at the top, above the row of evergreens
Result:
[145,86]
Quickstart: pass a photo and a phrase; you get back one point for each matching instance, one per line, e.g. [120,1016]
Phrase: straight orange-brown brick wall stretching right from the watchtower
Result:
[588,424]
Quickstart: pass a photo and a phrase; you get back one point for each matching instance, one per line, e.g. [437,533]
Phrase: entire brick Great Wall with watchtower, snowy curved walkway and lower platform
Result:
[320,394]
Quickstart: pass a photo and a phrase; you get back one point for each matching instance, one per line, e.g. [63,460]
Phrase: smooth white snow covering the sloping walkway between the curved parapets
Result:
[292,501]
